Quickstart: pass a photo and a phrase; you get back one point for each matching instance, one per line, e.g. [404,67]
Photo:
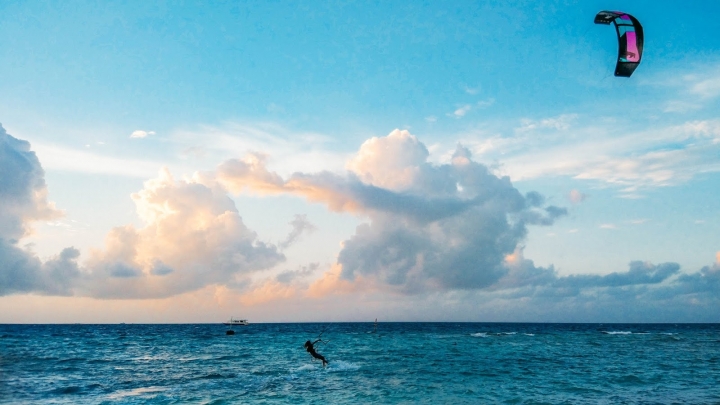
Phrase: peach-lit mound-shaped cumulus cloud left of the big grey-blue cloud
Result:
[193,237]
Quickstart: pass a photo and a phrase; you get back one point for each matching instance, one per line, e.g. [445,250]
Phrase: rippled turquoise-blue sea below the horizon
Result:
[402,363]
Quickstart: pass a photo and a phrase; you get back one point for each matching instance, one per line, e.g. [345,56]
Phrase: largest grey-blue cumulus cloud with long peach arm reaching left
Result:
[431,227]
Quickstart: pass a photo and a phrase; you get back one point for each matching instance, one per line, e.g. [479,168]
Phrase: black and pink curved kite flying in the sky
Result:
[630,40]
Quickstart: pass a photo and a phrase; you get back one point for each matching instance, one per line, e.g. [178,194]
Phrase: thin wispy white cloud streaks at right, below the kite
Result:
[629,160]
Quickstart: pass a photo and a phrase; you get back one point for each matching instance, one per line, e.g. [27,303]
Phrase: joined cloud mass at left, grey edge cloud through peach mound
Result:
[192,237]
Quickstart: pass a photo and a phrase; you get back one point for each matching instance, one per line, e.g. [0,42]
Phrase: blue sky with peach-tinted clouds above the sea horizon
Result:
[172,162]
